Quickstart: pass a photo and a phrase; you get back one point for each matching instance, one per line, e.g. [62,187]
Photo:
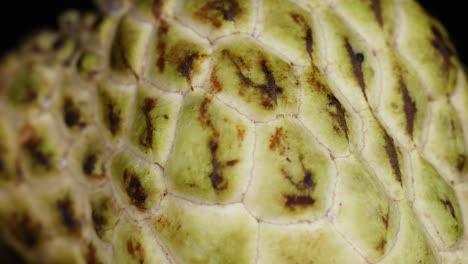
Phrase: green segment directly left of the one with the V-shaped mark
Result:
[180,58]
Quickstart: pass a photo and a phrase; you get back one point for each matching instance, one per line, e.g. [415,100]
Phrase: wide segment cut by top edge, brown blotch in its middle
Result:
[217,18]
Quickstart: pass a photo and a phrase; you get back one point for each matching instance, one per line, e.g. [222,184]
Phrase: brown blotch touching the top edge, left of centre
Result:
[216,12]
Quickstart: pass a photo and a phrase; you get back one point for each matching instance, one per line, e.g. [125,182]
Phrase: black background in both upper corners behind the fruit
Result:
[19,17]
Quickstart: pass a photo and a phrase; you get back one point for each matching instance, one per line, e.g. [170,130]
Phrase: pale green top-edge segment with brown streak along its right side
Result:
[289,29]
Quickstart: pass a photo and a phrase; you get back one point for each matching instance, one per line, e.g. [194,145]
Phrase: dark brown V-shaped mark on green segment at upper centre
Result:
[269,91]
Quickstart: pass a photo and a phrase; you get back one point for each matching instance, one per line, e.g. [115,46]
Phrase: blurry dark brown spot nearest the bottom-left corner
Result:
[25,229]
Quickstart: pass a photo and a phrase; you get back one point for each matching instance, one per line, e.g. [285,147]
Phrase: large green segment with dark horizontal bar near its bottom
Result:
[298,170]
